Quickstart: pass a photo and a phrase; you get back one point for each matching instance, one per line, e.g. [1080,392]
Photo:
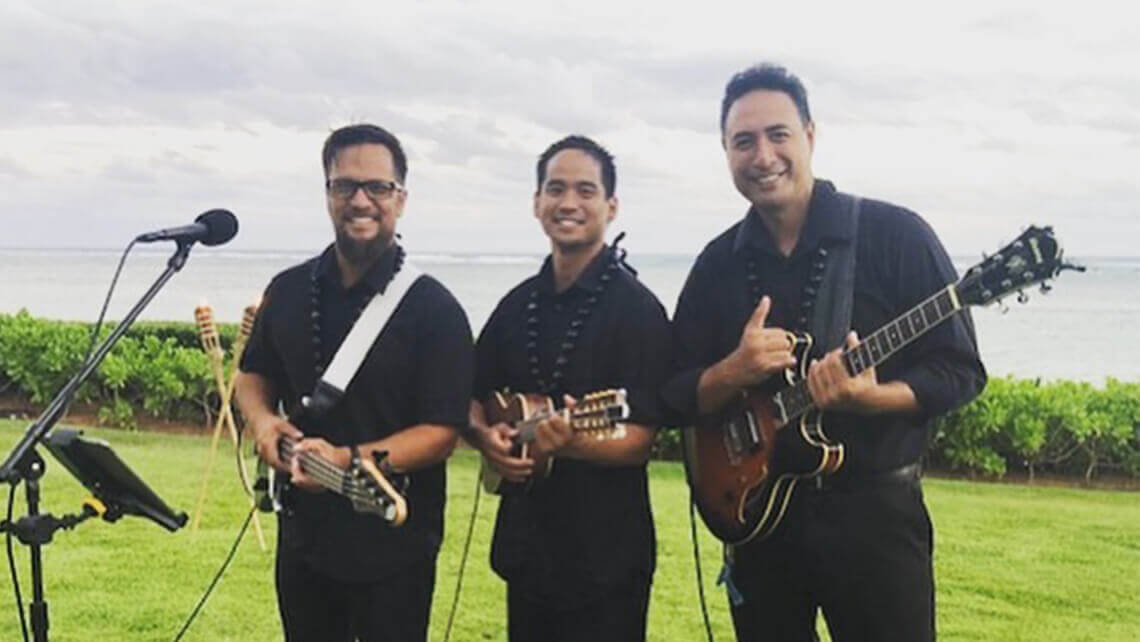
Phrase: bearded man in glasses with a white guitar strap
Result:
[343,575]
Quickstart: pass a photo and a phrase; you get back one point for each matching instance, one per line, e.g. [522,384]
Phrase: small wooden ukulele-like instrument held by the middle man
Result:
[598,413]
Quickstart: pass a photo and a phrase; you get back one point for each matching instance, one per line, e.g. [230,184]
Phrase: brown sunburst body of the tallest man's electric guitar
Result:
[745,462]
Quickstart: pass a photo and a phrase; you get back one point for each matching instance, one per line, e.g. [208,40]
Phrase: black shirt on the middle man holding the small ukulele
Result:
[589,526]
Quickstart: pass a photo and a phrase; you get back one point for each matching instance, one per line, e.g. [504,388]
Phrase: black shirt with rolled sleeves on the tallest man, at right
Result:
[899,263]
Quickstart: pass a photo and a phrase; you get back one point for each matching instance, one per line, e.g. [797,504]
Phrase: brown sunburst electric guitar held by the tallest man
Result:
[745,462]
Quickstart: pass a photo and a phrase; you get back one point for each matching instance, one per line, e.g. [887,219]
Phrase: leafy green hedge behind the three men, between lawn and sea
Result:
[159,369]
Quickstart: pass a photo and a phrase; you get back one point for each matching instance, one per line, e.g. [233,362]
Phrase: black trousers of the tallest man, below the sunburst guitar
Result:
[862,555]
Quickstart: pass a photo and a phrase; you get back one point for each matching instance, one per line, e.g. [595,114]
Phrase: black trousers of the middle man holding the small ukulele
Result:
[617,616]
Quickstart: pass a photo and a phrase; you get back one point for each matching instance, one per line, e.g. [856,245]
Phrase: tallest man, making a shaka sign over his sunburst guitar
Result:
[850,534]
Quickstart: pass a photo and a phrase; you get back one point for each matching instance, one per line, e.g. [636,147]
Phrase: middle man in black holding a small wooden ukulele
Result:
[568,372]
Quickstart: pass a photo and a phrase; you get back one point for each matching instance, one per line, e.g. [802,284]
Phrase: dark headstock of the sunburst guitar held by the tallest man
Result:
[1032,258]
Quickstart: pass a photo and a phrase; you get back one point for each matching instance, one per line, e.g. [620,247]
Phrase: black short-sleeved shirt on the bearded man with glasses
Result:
[419,372]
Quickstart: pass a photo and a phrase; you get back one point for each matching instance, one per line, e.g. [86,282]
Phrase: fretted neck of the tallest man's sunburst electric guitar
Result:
[880,346]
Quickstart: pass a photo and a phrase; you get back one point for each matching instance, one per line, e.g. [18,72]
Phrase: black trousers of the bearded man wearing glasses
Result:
[317,608]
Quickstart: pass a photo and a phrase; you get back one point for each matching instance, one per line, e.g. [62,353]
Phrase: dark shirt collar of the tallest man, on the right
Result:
[825,222]
